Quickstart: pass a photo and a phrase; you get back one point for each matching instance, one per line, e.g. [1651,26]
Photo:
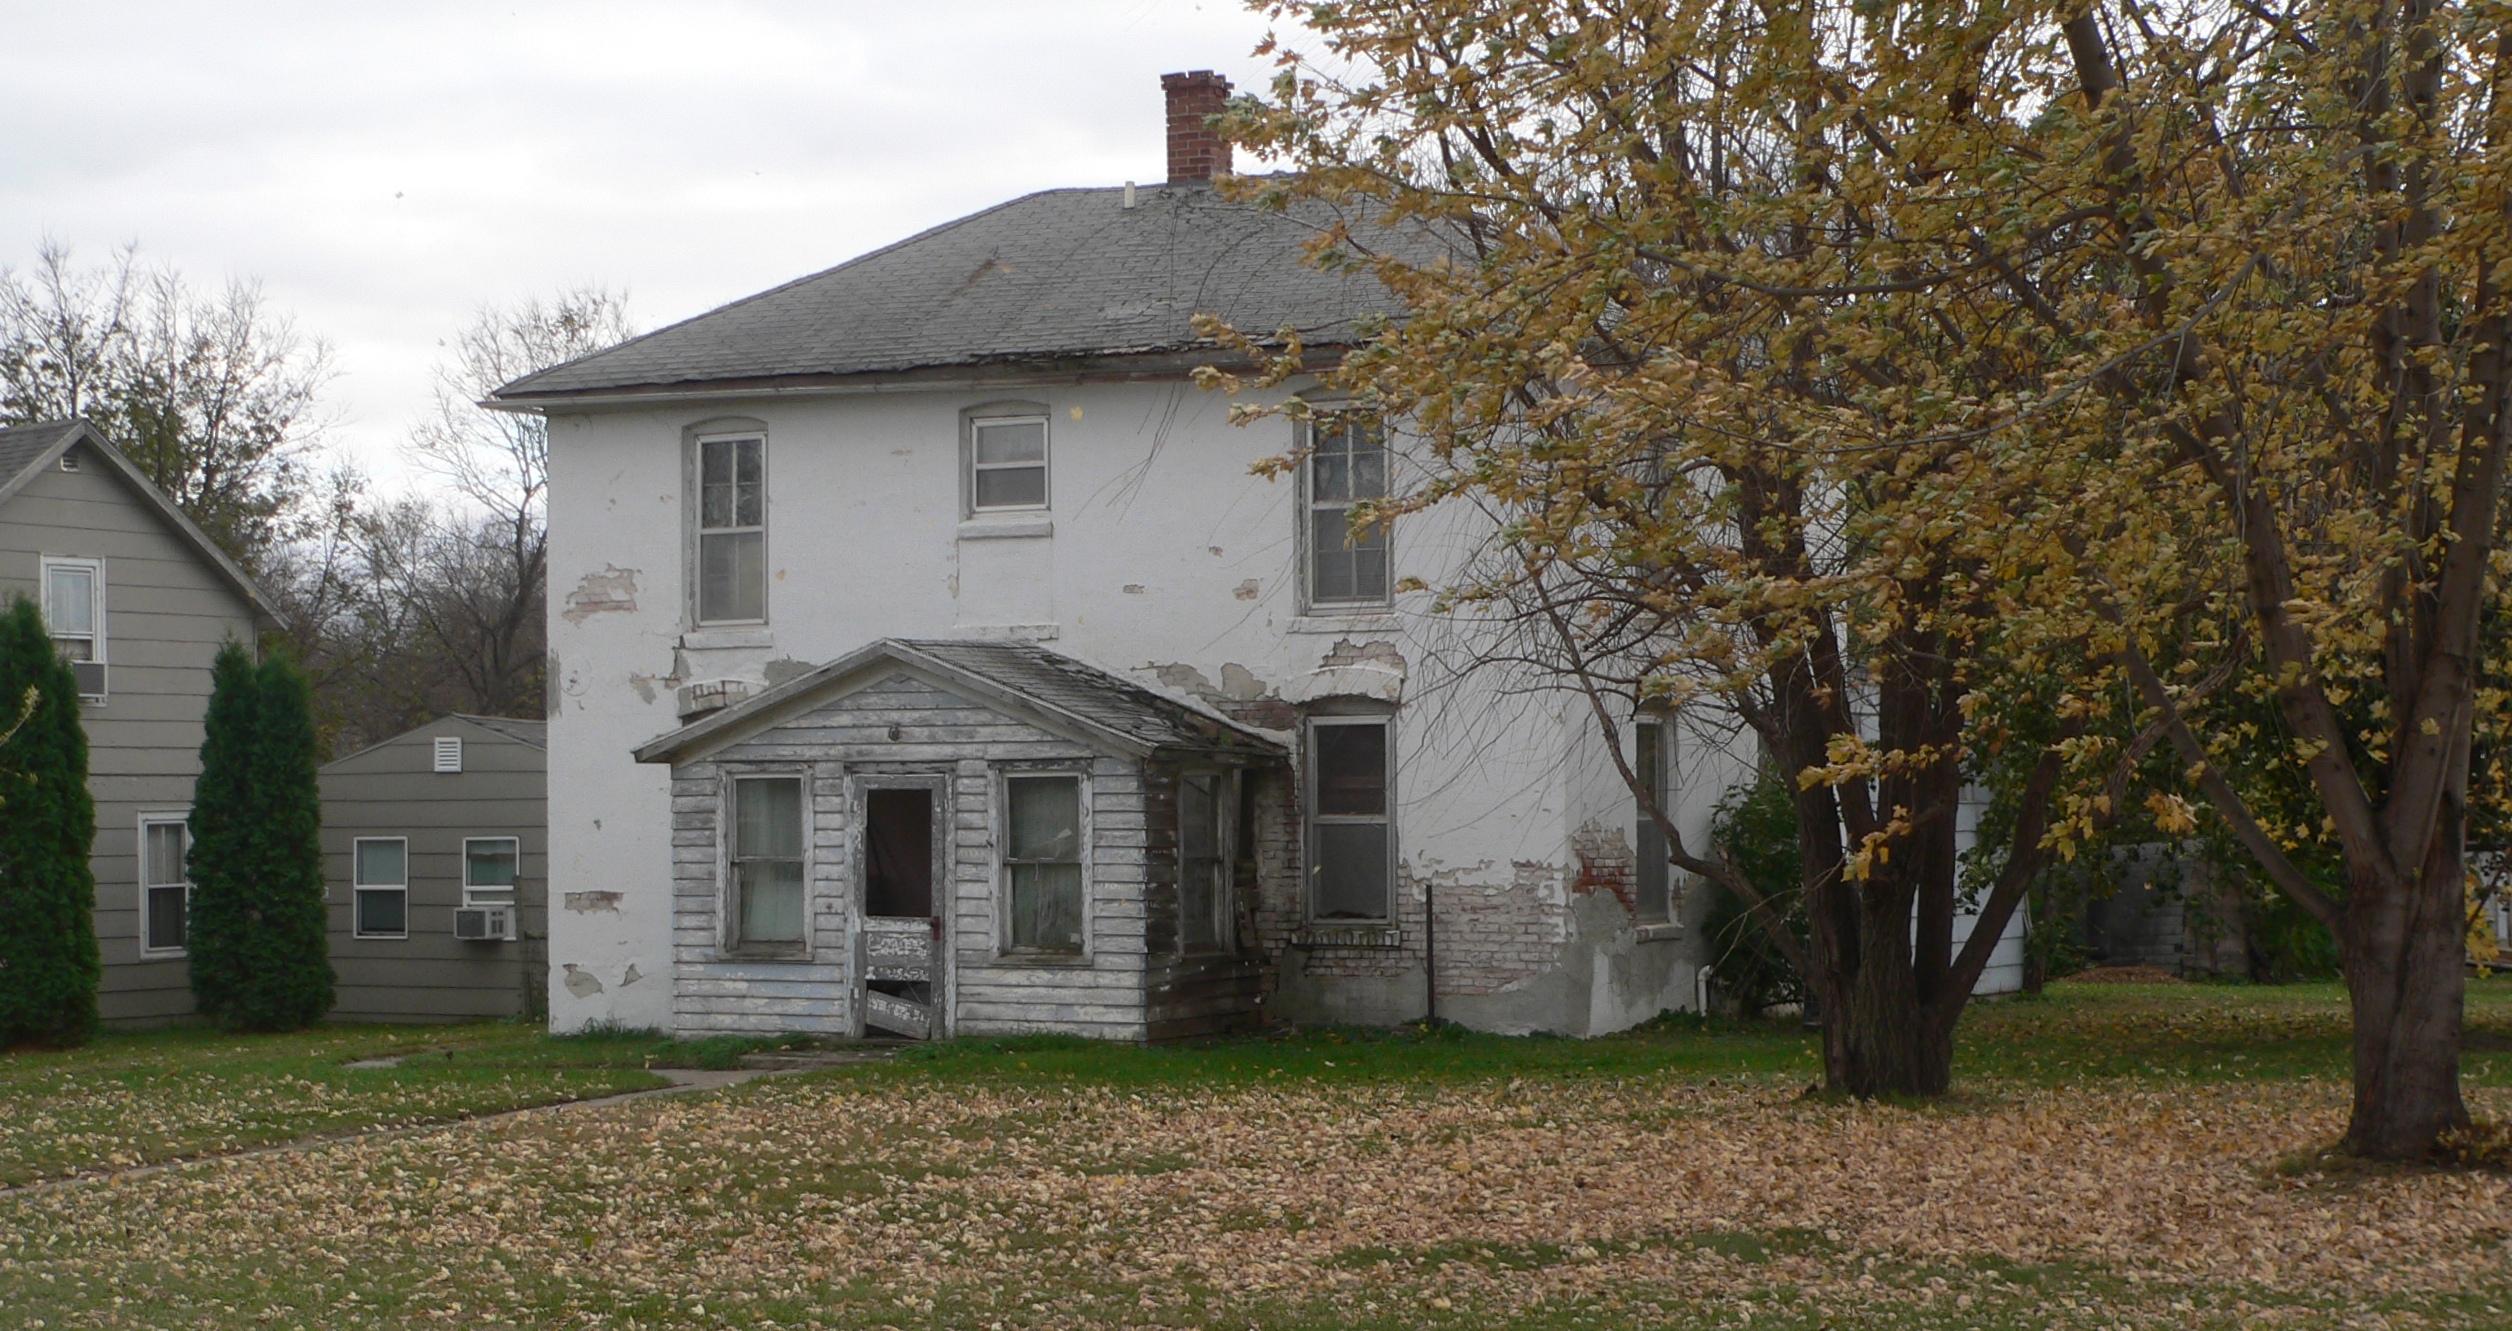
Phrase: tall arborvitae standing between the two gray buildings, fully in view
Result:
[260,948]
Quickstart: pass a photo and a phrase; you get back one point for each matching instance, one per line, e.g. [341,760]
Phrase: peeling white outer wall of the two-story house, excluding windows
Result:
[1167,561]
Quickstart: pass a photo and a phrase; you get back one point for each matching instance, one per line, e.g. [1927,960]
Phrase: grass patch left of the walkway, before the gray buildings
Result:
[137,1099]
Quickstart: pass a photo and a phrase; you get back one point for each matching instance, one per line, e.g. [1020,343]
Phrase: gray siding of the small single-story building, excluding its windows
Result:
[393,790]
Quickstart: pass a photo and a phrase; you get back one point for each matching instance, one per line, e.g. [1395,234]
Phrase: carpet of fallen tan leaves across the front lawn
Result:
[858,1199]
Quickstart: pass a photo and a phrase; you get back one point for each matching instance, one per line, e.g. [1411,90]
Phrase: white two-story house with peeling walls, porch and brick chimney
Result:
[928,657]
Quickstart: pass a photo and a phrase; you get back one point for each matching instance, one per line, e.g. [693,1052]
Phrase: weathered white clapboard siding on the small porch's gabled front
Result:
[845,745]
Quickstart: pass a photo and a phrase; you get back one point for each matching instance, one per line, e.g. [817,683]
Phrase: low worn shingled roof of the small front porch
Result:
[1021,677]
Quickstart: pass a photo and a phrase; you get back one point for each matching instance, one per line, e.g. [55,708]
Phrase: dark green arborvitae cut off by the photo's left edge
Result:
[46,827]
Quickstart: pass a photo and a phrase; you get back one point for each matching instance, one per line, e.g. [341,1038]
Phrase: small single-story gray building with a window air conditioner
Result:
[436,868]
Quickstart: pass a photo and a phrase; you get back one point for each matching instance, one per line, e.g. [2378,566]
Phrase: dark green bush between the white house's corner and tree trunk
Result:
[1757,830]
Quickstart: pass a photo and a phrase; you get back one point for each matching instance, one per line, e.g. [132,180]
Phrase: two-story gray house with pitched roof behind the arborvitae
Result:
[139,599]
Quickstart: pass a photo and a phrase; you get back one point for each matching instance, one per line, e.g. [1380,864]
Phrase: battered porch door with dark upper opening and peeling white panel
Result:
[901,943]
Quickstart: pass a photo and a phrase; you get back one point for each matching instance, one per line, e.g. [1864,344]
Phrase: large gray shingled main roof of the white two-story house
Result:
[1049,278]
